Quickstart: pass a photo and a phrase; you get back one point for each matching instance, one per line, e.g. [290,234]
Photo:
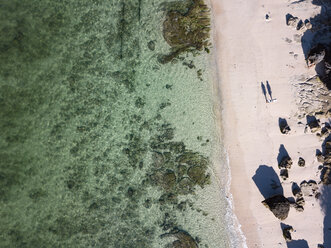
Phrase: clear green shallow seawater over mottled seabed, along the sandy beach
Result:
[100,144]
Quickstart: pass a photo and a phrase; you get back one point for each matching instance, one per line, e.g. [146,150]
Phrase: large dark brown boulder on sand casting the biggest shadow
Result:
[278,205]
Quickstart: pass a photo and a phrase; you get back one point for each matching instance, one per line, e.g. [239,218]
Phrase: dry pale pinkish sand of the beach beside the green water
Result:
[251,50]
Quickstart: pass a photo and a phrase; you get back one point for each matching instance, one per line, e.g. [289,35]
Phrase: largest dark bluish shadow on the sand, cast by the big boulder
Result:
[267,181]
